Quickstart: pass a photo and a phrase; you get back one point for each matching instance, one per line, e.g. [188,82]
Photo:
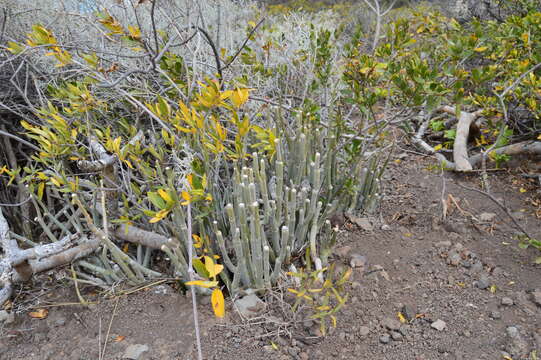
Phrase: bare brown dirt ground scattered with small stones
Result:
[464,288]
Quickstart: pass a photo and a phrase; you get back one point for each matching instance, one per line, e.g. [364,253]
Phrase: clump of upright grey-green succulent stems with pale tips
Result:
[277,208]
